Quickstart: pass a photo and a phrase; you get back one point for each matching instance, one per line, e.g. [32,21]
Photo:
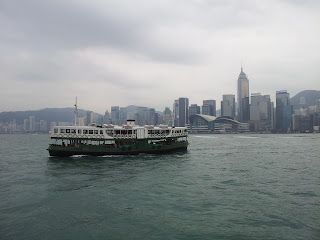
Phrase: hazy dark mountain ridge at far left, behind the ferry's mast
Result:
[47,114]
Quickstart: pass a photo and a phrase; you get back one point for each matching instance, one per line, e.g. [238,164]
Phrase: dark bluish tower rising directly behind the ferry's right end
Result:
[181,107]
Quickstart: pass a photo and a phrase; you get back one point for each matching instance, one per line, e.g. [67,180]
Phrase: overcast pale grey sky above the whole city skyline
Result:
[149,53]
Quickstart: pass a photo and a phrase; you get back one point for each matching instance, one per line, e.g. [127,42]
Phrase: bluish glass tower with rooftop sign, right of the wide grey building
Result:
[283,111]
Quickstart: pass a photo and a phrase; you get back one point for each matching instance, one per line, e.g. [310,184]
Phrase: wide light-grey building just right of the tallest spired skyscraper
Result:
[261,112]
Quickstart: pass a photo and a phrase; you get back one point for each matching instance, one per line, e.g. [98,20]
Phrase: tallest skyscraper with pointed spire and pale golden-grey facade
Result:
[243,97]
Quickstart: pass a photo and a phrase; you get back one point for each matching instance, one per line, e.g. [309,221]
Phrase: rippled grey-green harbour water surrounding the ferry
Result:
[223,187]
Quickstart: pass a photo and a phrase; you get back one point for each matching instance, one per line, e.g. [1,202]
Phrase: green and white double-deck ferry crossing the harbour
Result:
[108,139]
